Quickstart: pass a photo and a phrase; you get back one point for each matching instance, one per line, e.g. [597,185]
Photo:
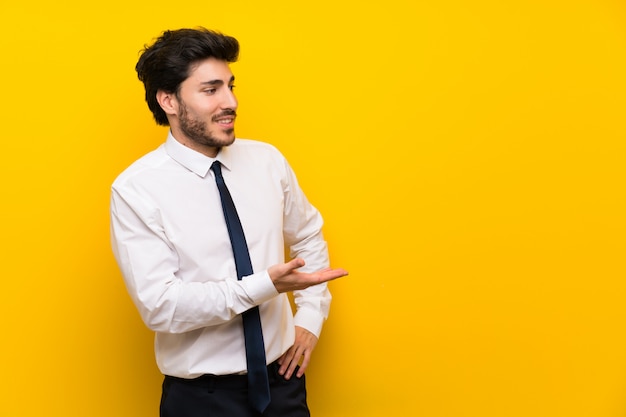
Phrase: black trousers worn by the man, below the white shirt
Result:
[227,396]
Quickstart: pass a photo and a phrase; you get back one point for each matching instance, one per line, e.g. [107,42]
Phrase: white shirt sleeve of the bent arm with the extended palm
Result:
[149,265]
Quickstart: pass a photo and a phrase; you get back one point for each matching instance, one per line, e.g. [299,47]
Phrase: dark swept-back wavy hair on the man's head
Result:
[167,63]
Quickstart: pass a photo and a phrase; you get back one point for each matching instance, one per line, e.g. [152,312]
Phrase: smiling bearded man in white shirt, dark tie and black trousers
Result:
[173,238]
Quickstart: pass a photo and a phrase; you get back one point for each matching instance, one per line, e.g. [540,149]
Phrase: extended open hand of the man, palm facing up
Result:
[286,277]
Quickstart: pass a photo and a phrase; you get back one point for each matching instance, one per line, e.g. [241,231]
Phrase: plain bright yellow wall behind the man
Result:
[469,157]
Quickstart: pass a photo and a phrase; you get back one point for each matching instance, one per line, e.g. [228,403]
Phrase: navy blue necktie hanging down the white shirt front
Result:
[258,385]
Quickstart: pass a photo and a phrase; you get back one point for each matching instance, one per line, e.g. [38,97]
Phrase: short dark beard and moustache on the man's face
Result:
[198,130]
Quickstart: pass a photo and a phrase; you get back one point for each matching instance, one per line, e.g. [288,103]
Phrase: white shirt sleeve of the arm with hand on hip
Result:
[303,235]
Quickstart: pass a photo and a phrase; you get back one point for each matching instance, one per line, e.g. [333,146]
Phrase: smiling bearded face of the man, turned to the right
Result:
[206,107]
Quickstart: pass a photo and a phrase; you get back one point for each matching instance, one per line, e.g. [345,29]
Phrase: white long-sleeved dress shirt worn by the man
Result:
[170,240]
